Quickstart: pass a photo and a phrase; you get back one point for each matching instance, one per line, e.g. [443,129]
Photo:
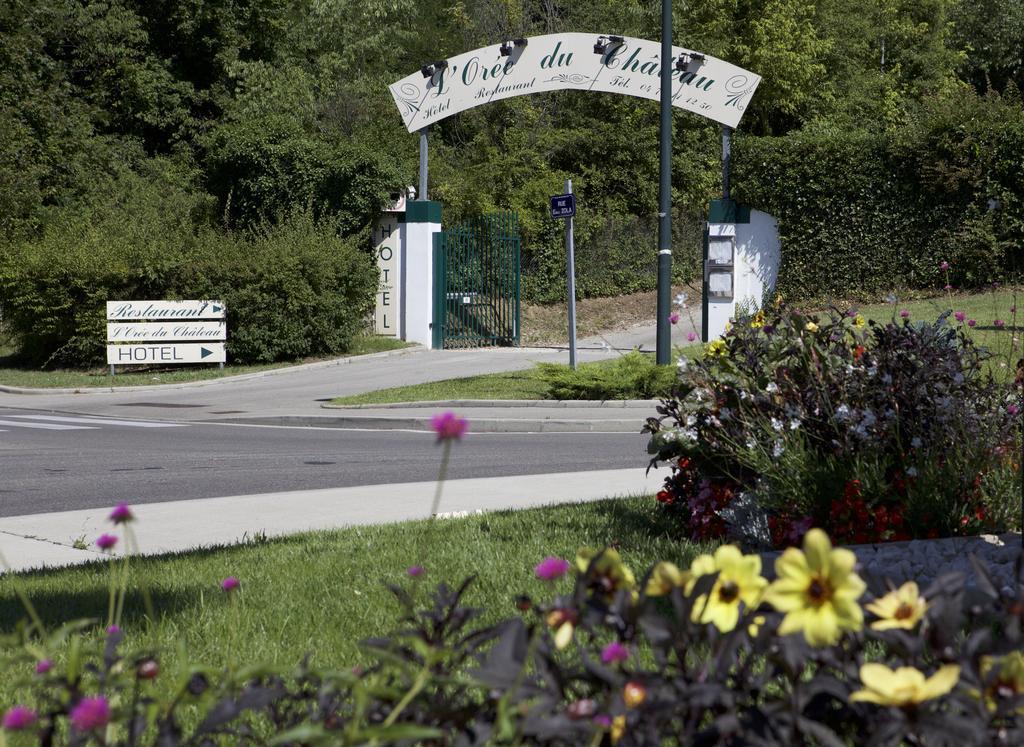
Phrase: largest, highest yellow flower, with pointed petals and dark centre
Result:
[818,591]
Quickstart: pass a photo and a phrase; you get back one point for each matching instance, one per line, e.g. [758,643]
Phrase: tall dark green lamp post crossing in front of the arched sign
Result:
[665,197]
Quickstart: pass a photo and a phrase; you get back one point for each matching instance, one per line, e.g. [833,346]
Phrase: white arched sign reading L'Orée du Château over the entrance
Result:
[702,85]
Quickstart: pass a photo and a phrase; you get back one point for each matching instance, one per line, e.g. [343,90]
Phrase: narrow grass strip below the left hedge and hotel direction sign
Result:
[34,379]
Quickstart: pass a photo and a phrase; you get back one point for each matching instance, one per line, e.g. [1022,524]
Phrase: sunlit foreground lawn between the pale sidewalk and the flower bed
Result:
[321,594]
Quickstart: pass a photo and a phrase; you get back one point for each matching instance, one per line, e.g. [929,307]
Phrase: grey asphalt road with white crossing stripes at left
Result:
[53,463]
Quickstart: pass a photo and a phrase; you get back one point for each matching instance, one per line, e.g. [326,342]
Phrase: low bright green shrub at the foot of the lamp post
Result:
[633,377]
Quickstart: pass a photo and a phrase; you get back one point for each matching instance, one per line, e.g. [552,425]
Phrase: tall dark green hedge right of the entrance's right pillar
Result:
[867,213]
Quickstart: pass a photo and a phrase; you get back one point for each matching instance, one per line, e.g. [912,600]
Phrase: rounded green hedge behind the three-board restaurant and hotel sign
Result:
[292,290]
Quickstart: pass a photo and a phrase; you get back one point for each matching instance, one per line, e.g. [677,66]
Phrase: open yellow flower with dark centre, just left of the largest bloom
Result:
[739,580]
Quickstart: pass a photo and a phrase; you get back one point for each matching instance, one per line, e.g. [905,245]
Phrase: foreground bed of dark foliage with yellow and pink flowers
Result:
[709,655]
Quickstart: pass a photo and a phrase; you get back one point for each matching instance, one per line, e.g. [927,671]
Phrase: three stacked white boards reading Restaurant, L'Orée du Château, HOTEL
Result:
[148,334]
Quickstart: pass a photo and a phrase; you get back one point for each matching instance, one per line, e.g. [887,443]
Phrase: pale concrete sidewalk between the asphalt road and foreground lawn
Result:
[67,538]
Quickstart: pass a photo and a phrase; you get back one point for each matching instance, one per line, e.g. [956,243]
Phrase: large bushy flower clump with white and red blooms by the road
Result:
[871,431]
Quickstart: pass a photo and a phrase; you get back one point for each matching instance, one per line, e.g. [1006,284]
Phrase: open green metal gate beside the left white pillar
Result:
[477,283]
